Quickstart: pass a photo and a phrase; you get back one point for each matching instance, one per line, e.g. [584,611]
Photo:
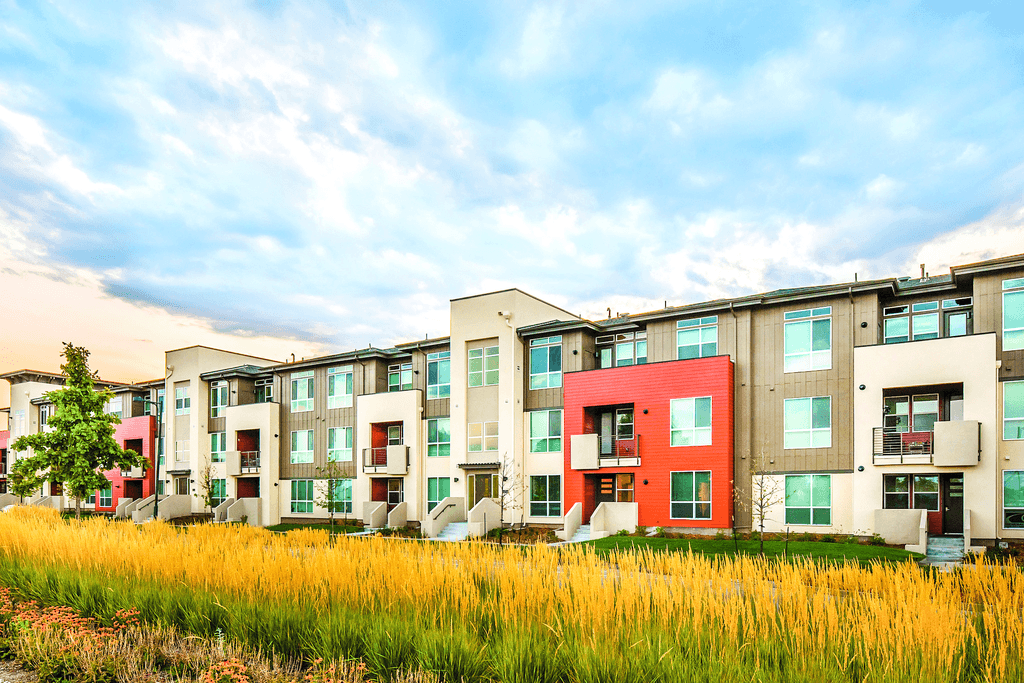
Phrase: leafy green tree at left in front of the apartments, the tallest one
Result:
[79,445]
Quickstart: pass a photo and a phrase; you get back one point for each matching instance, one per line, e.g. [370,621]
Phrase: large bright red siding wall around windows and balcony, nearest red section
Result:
[653,388]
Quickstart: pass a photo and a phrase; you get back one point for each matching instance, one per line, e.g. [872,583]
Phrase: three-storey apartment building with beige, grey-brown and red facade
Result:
[891,407]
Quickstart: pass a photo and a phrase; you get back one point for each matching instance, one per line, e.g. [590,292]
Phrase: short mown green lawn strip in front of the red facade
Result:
[817,550]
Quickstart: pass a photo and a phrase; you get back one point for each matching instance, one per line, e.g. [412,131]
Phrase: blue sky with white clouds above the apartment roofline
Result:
[307,178]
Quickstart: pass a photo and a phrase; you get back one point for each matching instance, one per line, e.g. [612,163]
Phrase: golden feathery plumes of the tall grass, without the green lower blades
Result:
[894,618]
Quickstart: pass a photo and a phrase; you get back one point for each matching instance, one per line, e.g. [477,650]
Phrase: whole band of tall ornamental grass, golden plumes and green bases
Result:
[480,613]
